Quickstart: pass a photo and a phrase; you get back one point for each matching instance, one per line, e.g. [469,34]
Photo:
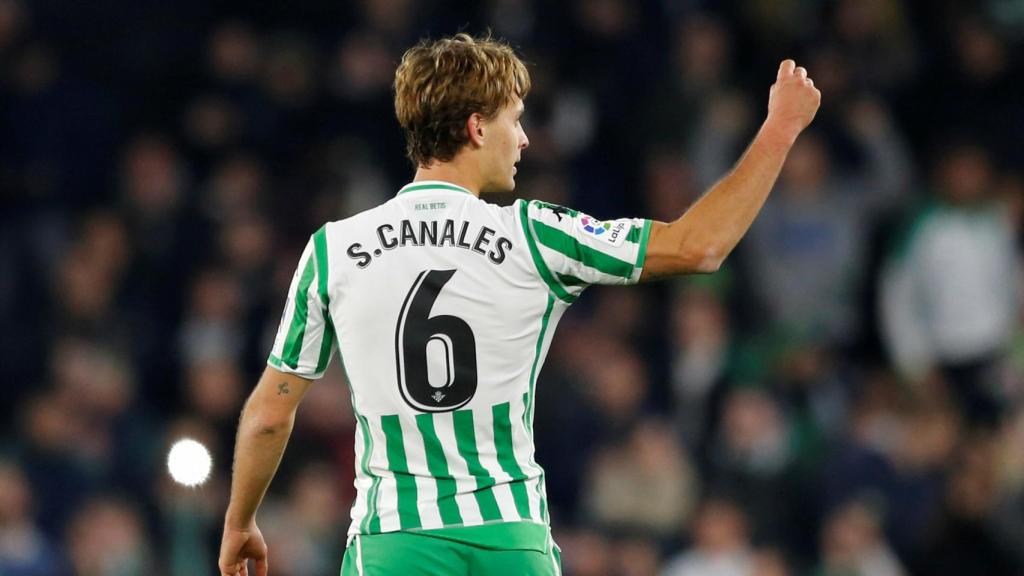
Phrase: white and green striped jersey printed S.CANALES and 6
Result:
[444,307]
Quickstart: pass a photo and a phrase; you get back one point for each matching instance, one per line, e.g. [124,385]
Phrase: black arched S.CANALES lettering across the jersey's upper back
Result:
[446,233]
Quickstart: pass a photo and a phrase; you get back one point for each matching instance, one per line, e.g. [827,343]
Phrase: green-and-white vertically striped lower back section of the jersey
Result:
[466,468]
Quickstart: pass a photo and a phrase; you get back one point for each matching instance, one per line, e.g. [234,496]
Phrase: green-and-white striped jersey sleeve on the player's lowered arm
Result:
[306,340]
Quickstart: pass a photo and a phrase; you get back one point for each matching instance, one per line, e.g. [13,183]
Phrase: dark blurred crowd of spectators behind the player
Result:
[845,398]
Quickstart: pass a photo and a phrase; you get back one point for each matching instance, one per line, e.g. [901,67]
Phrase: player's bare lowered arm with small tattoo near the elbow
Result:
[264,432]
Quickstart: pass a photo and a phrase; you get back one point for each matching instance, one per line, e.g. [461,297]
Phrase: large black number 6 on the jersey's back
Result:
[450,382]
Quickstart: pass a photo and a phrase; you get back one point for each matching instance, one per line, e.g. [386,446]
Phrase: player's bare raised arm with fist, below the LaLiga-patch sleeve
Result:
[703,237]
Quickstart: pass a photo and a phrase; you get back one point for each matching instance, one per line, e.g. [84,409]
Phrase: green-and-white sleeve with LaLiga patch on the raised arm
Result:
[573,251]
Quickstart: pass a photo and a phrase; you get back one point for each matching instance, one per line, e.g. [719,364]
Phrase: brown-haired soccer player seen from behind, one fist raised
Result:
[443,308]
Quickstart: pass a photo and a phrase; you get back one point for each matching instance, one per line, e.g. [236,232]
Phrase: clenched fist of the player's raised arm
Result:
[793,101]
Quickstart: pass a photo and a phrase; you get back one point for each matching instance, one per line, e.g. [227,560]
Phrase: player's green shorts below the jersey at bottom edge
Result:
[419,554]
